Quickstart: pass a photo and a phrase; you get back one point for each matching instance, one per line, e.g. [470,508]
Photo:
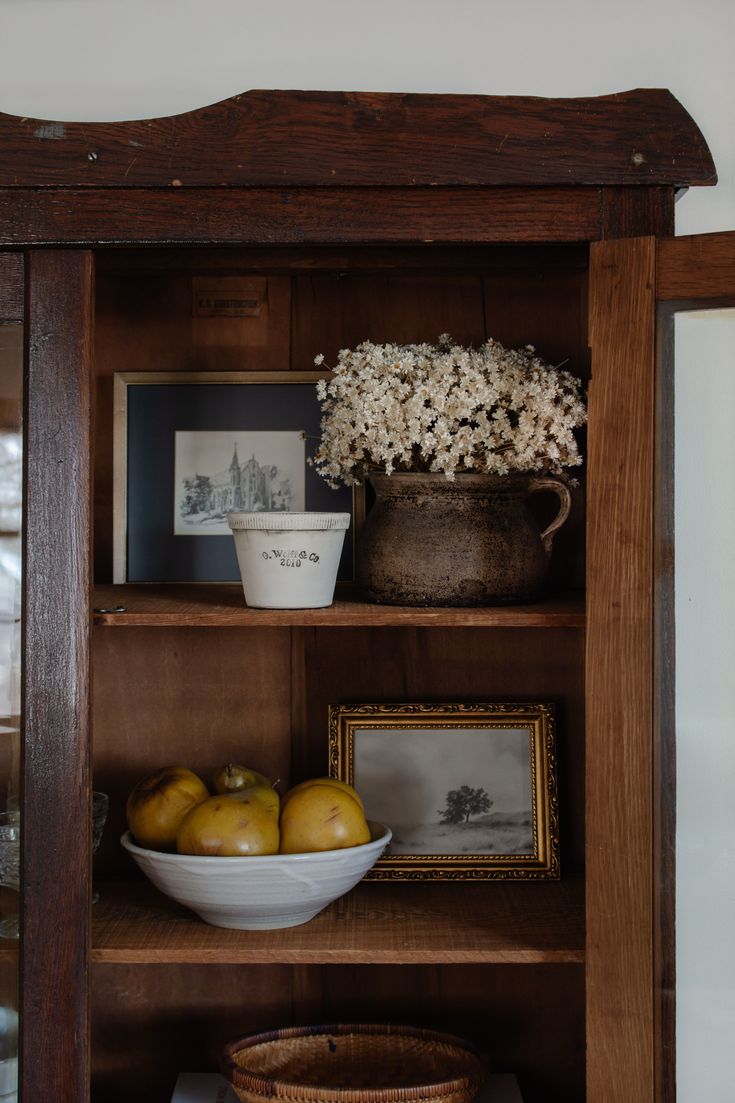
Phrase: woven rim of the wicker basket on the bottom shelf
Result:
[270,1086]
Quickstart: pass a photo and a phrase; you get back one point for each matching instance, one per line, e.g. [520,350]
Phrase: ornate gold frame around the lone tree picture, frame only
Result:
[346,721]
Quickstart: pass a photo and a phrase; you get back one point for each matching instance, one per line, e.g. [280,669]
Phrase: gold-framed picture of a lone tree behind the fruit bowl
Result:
[407,759]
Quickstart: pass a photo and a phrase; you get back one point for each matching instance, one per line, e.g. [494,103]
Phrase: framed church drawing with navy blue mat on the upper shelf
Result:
[189,448]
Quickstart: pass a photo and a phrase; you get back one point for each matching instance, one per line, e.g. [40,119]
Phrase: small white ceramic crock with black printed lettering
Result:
[289,561]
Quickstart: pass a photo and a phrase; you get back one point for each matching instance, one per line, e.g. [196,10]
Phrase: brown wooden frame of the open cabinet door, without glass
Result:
[637,287]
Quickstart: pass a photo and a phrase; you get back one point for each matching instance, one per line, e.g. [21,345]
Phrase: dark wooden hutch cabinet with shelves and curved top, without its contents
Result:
[397,219]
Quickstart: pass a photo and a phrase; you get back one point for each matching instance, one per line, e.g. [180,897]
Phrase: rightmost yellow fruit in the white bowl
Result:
[322,818]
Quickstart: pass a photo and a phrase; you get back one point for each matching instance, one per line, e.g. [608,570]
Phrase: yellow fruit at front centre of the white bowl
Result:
[231,827]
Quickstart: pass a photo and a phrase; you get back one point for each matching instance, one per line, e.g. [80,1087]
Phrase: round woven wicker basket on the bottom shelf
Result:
[354,1065]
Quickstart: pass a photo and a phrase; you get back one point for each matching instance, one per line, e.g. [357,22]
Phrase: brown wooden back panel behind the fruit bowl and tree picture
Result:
[200,699]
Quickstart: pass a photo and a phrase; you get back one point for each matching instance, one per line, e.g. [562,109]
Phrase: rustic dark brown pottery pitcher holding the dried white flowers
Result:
[472,541]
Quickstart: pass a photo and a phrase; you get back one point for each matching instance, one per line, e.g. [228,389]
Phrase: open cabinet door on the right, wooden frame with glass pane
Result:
[662,963]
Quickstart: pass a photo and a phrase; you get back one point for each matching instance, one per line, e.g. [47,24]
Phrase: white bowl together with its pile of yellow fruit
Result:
[246,859]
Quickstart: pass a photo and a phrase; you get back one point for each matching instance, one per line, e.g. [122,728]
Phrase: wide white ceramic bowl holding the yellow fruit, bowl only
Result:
[263,893]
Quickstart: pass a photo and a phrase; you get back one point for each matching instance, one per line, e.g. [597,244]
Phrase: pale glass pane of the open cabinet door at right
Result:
[705,494]
